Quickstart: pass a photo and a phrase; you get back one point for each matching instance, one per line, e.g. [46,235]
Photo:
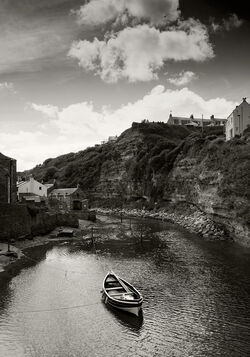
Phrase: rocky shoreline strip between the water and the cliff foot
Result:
[194,222]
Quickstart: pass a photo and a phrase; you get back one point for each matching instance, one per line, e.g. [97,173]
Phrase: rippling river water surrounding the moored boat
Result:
[197,299]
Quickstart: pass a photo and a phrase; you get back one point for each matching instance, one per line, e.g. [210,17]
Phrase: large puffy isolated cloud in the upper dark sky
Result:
[138,53]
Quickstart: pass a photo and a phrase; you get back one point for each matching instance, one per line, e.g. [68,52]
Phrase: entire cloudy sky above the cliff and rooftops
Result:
[74,72]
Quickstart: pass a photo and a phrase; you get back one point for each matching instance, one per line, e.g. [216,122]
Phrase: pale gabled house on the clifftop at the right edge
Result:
[238,120]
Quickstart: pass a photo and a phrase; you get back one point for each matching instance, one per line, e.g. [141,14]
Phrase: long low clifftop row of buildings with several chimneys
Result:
[192,121]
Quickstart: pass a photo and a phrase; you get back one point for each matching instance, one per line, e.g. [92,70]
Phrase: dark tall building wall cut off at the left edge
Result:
[8,191]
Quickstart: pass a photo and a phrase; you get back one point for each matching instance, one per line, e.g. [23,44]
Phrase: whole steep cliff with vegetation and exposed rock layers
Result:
[155,165]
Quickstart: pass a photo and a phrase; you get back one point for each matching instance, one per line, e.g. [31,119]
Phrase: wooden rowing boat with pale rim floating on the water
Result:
[121,295]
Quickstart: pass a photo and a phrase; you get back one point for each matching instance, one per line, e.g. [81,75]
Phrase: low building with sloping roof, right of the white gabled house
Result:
[69,198]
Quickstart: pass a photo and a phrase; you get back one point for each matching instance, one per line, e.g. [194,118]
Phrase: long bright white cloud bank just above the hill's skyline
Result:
[80,125]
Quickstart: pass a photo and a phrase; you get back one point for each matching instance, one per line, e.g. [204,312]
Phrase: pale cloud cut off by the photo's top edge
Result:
[100,12]
